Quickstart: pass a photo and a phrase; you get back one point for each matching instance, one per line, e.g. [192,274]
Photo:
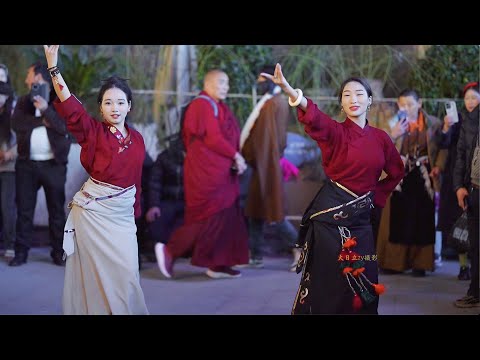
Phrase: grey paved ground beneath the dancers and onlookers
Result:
[36,288]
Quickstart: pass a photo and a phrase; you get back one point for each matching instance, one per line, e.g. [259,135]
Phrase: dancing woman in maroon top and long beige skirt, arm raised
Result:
[100,242]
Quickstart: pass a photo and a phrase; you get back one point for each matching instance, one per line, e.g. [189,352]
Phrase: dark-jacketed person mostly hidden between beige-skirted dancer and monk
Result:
[165,200]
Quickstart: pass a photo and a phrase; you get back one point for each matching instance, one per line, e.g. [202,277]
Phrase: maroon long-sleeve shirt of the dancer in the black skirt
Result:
[352,156]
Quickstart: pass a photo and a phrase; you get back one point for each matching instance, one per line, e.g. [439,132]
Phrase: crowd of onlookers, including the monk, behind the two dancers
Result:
[440,158]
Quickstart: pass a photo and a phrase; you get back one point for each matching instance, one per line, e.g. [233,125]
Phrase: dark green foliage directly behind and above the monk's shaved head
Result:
[241,63]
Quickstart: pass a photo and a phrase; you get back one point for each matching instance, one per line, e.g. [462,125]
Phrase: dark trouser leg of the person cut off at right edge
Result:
[473,237]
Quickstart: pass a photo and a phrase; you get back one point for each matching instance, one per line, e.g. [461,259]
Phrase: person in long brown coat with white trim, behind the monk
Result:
[263,140]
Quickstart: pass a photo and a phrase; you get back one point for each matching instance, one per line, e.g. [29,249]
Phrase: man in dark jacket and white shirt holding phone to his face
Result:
[43,147]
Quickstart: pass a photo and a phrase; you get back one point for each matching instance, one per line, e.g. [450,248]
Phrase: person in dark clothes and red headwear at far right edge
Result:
[466,181]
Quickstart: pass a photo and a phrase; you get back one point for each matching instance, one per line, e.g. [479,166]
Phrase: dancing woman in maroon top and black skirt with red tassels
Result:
[338,259]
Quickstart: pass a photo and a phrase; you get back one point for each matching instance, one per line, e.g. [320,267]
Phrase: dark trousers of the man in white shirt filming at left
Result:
[30,176]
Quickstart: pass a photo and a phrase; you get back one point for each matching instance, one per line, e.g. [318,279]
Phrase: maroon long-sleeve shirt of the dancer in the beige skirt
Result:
[100,154]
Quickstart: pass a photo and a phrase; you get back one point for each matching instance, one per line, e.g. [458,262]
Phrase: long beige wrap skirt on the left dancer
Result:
[101,274]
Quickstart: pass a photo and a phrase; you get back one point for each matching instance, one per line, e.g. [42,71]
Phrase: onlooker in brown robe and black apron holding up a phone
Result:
[407,228]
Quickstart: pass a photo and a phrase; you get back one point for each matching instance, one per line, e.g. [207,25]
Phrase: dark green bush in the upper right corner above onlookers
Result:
[444,71]
